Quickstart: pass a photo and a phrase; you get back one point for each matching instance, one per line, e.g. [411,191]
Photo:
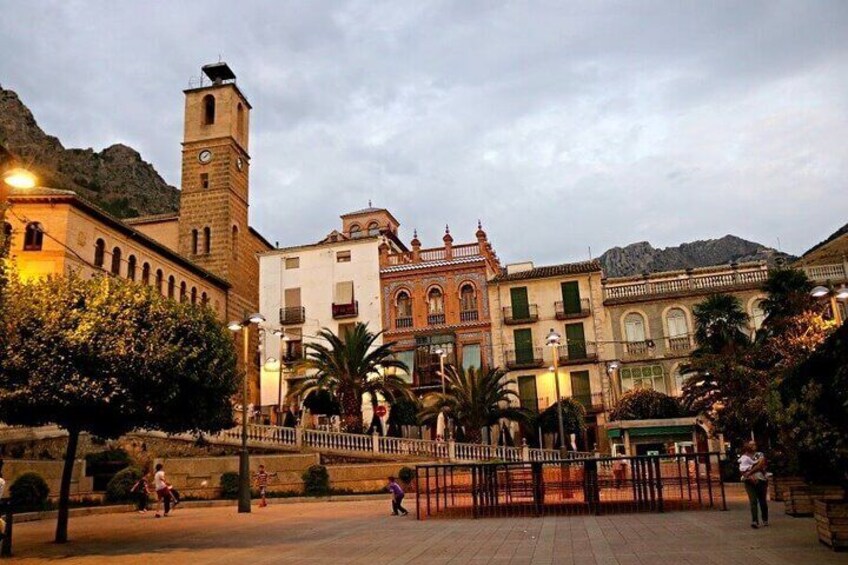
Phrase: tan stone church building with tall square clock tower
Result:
[207,249]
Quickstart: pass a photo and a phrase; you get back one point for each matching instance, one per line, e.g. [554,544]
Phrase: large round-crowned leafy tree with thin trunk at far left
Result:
[106,356]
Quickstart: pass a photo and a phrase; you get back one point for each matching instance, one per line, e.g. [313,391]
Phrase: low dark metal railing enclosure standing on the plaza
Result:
[597,485]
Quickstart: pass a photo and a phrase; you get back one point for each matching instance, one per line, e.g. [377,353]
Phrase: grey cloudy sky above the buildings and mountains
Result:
[562,125]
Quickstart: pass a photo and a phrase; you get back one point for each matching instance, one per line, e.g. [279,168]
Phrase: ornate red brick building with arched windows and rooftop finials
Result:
[437,299]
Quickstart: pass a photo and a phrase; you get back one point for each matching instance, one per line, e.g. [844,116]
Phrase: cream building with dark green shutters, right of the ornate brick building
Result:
[527,303]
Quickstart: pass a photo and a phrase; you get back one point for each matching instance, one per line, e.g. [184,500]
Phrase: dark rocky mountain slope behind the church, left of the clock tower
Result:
[117,178]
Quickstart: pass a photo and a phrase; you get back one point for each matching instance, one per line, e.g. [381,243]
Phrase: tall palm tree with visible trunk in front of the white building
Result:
[350,368]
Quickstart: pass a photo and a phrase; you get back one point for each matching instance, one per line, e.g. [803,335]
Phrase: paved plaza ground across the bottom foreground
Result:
[364,532]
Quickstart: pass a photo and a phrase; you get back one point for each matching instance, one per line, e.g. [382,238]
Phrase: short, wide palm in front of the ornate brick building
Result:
[474,400]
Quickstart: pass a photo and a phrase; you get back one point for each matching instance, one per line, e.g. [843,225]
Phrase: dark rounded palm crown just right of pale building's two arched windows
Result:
[719,323]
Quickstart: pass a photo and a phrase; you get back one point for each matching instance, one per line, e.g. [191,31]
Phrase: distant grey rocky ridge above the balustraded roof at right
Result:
[642,257]
